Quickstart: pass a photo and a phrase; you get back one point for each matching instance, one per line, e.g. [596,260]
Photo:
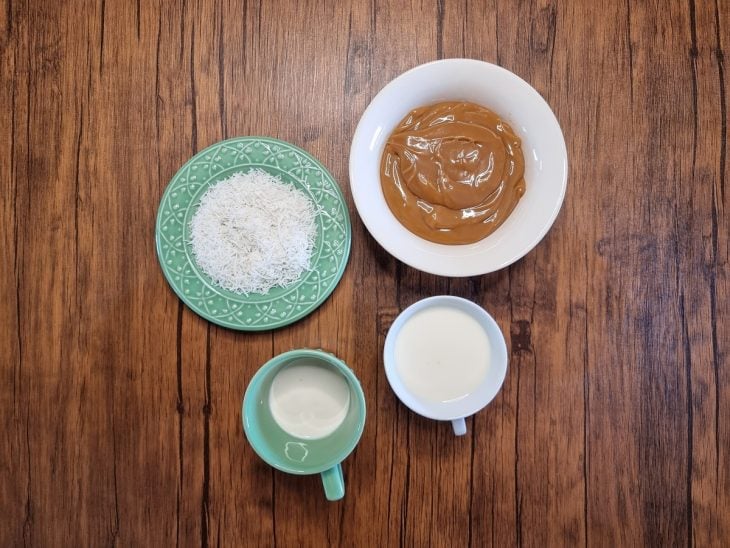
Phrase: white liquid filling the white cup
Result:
[442,354]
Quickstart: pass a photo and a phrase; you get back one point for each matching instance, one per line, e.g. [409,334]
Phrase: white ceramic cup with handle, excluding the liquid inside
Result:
[456,410]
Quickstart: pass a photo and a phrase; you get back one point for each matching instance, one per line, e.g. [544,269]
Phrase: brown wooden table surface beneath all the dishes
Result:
[120,417]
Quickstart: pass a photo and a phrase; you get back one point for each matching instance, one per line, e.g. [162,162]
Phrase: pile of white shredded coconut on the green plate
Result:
[253,232]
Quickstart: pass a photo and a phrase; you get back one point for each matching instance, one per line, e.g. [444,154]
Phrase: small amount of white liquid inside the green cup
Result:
[309,401]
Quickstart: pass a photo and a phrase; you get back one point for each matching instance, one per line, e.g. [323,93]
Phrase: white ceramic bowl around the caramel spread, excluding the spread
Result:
[546,164]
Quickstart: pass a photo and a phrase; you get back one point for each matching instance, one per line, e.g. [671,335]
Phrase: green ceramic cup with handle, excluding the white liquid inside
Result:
[295,455]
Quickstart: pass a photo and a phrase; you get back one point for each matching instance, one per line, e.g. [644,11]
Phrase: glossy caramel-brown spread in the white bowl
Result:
[452,172]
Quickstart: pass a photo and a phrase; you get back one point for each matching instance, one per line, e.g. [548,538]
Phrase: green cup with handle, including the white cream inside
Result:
[304,413]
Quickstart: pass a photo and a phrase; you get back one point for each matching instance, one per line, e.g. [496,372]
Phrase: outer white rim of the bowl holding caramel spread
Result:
[443,268]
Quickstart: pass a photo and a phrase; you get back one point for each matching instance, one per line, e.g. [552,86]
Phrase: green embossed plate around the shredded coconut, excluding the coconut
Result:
[280,306]
